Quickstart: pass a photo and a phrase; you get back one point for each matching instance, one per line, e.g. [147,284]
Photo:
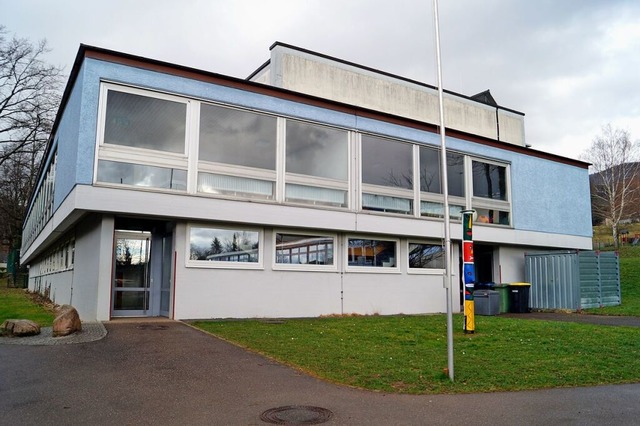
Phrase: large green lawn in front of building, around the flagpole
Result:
[408,353]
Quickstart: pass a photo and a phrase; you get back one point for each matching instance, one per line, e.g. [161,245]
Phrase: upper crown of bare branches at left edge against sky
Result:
[29,94]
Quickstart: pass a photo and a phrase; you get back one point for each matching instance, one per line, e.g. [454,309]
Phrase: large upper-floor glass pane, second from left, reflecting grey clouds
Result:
[237,137]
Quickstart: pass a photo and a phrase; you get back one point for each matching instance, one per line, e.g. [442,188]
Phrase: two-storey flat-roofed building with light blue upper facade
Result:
[310,188]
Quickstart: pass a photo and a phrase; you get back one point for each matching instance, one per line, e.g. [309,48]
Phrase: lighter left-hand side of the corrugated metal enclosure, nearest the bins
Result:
[554,279]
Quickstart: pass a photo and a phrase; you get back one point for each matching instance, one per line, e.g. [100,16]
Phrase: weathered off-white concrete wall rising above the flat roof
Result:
[322,77]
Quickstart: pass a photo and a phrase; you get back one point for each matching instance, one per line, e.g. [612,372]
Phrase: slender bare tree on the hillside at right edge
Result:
[614,184]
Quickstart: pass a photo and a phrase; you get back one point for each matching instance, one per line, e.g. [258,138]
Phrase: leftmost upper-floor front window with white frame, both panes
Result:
[143,140]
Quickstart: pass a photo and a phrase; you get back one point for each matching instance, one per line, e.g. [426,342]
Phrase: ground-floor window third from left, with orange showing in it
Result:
[372,253]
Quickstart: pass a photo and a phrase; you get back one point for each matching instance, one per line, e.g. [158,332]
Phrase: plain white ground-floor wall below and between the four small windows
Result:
[232,293]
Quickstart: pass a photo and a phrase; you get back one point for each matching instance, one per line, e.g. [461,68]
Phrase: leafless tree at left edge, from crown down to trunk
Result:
[29,98]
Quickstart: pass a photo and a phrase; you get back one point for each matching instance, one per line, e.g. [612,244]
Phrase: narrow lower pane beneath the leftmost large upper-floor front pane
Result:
[141,175]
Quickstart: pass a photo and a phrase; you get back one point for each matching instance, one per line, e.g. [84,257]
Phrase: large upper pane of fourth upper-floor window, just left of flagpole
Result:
[387,163]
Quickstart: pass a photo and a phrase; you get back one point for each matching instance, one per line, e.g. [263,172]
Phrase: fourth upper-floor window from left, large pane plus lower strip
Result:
[387,175]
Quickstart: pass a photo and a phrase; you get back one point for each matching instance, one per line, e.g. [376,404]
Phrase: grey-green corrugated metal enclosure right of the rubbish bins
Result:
[573,280]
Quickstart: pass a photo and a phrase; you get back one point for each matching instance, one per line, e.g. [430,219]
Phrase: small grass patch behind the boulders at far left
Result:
[16,304]
